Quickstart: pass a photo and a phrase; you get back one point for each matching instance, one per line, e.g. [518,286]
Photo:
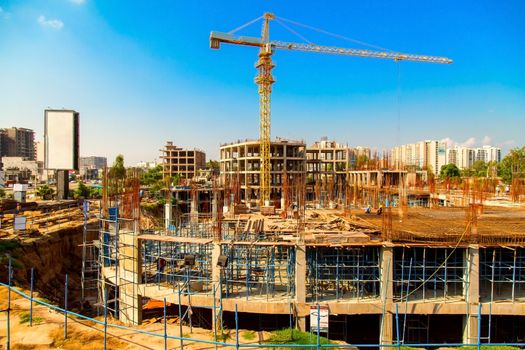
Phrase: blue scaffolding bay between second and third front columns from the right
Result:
[342,273]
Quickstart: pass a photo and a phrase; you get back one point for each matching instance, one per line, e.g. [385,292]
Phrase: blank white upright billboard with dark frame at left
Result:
[61,139]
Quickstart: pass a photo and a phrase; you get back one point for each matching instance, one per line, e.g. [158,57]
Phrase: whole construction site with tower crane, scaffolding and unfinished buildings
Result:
[286,236]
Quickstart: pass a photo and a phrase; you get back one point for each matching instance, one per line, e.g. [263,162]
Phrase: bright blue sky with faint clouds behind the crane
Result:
[141,72]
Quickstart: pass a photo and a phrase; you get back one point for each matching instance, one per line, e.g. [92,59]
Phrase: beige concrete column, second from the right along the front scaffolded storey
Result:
[387,293]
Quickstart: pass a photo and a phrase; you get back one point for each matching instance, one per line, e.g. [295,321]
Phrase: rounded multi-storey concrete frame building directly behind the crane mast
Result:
[240,168]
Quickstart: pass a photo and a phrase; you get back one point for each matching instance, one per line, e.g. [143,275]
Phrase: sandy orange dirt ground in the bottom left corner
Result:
[47,331]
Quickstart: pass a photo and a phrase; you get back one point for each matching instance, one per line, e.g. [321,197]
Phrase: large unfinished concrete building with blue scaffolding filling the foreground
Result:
[385,274]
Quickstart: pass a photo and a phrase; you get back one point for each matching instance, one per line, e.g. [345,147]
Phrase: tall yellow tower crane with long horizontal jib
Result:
[265,79]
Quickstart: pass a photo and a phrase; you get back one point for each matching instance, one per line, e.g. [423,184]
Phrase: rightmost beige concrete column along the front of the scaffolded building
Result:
[471,294]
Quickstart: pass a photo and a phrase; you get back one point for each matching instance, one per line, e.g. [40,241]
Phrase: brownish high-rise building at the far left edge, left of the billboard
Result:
[17,142]
